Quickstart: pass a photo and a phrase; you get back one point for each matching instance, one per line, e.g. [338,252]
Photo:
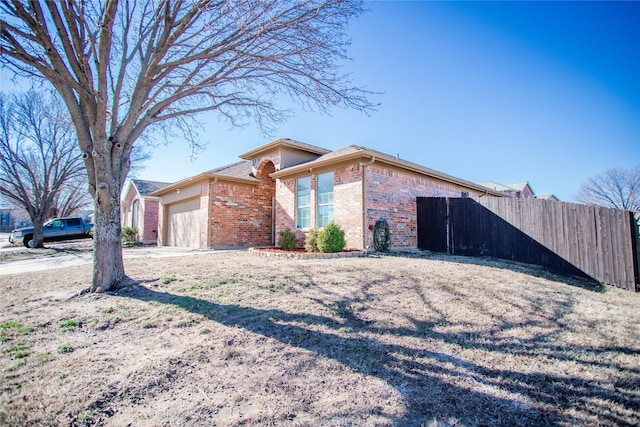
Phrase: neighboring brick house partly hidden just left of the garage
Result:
[140,209]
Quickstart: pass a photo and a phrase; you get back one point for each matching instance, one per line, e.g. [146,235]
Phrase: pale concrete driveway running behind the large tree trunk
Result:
[47,263]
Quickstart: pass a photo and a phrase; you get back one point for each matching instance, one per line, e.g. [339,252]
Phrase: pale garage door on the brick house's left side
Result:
[184,222]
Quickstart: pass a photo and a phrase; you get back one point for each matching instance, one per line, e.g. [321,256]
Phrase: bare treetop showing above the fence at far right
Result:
[616,188]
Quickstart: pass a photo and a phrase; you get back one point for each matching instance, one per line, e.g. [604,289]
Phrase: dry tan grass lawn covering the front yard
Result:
[235,339]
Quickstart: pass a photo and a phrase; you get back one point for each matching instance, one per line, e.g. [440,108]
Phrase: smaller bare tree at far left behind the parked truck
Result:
[39,158]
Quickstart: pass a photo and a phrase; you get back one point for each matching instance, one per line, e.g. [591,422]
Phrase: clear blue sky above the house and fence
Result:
[543,92]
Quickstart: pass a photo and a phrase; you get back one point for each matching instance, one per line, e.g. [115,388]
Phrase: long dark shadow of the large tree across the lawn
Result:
[436,386]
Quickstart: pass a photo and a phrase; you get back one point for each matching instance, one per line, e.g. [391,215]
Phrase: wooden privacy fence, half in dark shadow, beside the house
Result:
[589,241]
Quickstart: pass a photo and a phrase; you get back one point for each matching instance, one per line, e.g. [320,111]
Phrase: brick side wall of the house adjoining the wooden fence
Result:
[391,194]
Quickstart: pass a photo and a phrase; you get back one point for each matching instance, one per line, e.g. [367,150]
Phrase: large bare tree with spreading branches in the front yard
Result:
[125,66]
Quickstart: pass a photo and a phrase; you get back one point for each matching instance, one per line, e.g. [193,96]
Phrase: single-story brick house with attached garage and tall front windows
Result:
[290,184]
